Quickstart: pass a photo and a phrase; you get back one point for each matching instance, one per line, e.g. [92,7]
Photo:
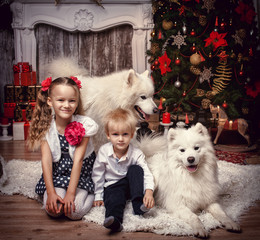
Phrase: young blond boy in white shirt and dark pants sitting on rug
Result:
[120,171]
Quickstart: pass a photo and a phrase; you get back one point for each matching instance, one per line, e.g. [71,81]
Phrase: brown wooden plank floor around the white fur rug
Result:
[23,218]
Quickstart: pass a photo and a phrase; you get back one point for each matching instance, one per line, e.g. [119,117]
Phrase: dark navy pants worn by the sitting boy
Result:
[129,187]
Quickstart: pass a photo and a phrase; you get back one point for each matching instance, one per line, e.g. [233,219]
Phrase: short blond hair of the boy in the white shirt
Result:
[120,115]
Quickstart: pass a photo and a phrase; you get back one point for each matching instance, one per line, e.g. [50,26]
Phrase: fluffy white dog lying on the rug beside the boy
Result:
[186,176]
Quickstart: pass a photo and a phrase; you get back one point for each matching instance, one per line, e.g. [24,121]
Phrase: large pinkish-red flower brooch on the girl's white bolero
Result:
[74,133]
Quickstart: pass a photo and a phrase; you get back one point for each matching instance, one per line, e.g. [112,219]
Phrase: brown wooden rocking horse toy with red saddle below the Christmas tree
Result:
[239,124]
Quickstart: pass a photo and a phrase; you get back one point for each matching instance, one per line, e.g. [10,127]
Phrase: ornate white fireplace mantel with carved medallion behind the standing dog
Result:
[81,16]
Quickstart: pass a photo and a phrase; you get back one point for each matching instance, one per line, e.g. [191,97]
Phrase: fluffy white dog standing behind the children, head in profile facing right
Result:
[125,89]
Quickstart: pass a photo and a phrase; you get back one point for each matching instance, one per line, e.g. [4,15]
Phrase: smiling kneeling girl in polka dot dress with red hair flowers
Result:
[63,135]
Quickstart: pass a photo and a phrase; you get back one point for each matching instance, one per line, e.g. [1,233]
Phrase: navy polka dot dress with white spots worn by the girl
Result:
[62,171]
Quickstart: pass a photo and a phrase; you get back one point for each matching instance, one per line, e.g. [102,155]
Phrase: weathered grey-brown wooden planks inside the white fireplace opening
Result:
[99,52]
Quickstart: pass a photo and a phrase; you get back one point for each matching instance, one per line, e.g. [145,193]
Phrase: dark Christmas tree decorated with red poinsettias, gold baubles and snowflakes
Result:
[204,52]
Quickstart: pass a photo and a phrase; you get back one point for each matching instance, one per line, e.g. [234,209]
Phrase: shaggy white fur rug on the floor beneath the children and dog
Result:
[240,184]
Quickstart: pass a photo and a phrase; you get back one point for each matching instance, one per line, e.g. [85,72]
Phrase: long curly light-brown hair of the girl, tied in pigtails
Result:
[42,114]
